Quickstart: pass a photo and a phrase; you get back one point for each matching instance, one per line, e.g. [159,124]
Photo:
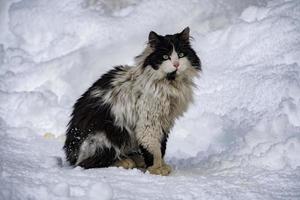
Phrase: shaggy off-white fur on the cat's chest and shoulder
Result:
[144,105]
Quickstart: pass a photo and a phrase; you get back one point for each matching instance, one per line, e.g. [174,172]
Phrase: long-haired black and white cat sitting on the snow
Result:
[130,111]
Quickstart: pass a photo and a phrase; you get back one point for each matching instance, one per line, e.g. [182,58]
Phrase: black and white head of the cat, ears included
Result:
[172,54]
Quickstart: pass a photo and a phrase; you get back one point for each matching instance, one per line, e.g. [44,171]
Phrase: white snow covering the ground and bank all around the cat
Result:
[240,139]
